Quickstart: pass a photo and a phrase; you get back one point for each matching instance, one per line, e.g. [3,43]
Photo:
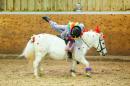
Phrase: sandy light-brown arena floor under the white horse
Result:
[15,72]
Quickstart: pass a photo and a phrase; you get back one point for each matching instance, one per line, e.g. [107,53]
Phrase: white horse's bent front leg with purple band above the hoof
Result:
[86,63]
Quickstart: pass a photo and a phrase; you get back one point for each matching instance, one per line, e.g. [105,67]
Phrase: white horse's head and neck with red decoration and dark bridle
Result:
[95,39]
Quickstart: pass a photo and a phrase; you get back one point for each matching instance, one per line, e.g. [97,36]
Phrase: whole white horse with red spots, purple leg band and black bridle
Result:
[46,44]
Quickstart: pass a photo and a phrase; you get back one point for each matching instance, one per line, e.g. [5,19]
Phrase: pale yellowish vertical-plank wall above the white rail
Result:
[64,5]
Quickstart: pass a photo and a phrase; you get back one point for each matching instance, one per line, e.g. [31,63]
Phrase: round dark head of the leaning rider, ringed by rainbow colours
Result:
[75,32]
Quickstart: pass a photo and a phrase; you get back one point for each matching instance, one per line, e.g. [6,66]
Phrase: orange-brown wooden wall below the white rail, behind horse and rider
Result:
[16,30]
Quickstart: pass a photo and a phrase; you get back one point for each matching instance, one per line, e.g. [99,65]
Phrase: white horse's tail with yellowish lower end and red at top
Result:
[29,52]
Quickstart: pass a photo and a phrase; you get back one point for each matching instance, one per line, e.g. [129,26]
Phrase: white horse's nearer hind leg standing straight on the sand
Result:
[36,63]
